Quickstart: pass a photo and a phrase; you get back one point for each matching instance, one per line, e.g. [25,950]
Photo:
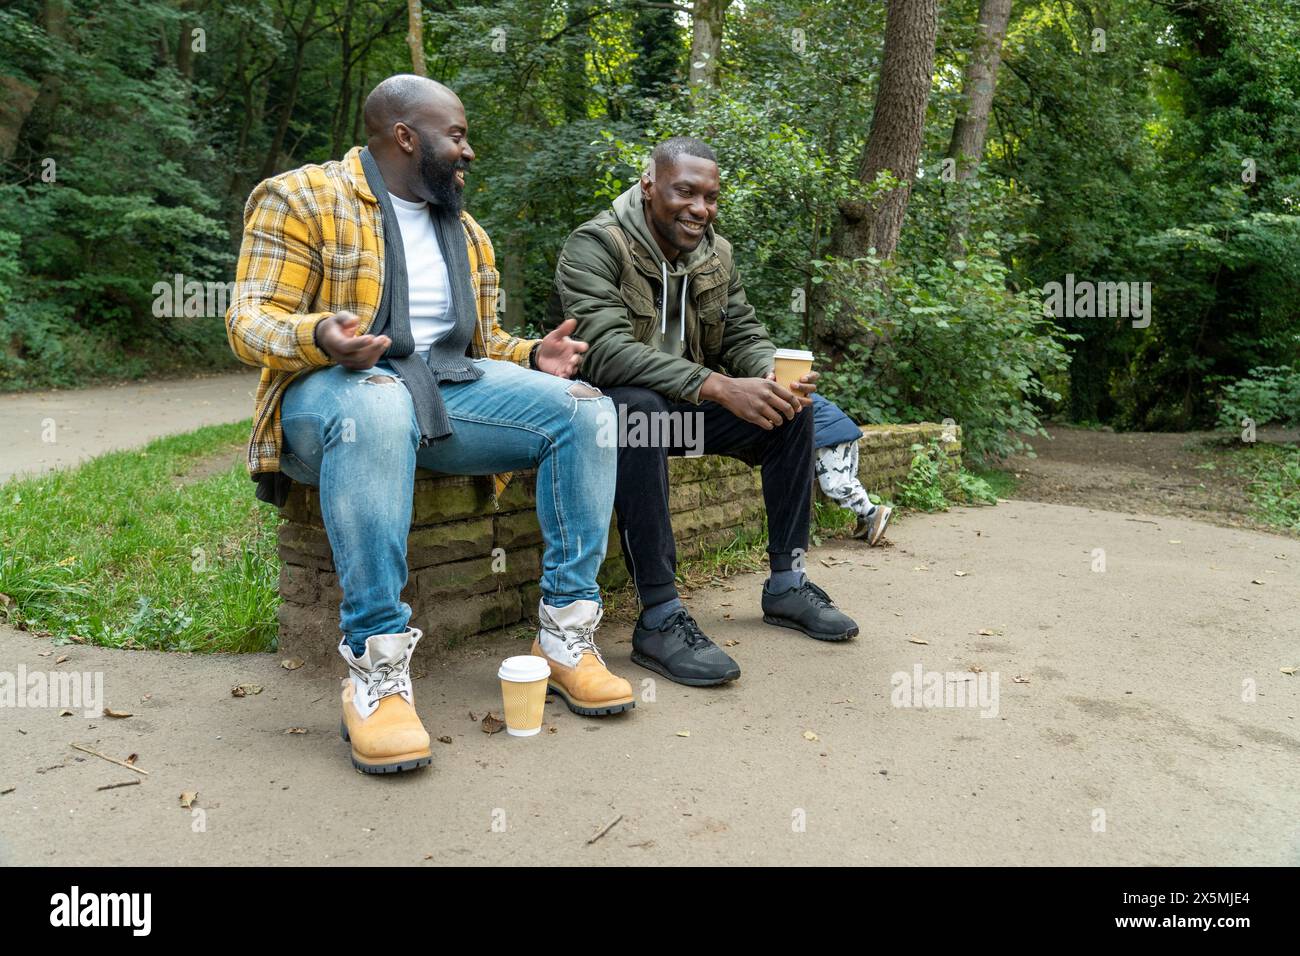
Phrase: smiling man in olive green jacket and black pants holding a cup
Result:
[674,341]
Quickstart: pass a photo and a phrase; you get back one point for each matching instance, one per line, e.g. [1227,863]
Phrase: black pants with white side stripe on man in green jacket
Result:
[642,498]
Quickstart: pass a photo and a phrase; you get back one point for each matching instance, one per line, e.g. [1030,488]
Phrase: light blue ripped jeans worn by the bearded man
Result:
[354,435]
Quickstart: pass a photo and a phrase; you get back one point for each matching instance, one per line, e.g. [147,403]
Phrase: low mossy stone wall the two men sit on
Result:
[461,585]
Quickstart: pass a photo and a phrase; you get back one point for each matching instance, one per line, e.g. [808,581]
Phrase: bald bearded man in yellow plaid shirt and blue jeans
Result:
[369,297]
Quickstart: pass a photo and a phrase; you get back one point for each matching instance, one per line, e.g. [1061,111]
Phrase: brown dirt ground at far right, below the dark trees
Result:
[1189,474]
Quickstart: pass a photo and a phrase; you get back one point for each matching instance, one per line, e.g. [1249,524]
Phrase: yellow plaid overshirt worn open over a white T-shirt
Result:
[313,246]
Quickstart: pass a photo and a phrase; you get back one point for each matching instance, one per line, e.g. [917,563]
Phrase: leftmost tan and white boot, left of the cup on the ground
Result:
[379,706]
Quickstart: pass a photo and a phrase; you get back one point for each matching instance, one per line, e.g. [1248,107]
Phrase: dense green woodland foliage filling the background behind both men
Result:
[1125,163]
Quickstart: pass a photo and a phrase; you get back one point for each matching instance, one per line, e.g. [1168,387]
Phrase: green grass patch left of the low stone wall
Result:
[122,552]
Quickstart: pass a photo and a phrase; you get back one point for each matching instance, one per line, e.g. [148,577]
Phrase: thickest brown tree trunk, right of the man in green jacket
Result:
[898,131]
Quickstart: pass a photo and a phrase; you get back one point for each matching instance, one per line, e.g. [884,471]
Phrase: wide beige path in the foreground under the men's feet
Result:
[1123,734]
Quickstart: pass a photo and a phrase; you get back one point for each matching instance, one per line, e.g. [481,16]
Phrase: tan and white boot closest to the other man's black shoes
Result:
[579,676]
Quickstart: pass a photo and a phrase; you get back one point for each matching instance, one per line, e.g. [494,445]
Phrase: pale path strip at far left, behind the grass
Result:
[57,430]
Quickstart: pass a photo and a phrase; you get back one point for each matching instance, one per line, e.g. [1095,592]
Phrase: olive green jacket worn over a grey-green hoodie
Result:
[610,278]
